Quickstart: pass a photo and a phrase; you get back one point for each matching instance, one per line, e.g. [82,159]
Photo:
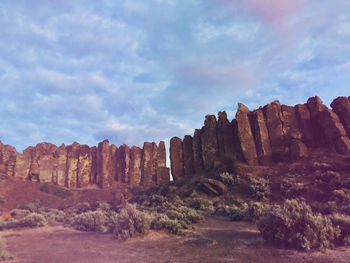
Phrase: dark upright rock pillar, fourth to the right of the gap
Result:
[209,142]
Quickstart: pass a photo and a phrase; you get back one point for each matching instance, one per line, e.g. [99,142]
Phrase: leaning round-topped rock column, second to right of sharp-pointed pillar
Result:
[278,141]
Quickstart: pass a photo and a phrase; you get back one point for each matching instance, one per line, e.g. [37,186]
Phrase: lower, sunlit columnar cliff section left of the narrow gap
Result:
[76,166]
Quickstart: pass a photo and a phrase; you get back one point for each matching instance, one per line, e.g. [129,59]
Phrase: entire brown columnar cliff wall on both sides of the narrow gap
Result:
[273,133]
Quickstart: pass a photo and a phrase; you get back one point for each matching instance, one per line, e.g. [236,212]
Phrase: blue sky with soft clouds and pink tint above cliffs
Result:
[146,70]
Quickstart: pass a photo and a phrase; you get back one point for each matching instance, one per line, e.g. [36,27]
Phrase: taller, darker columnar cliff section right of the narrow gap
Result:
[273,133]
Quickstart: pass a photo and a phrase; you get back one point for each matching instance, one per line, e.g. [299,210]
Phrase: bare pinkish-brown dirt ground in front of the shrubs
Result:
[215,240]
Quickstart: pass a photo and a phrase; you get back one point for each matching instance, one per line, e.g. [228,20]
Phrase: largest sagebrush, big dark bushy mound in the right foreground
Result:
[295,225]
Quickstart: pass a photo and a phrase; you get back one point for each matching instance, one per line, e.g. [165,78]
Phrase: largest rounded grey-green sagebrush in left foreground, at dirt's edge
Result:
[129,222]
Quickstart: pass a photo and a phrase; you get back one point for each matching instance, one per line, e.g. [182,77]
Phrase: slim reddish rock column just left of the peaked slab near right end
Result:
[304,119]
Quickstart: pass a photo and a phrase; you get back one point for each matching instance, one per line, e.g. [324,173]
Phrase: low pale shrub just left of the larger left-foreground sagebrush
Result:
[90,221]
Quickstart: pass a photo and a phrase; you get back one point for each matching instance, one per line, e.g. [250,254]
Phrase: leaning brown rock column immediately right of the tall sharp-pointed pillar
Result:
[261,136]
